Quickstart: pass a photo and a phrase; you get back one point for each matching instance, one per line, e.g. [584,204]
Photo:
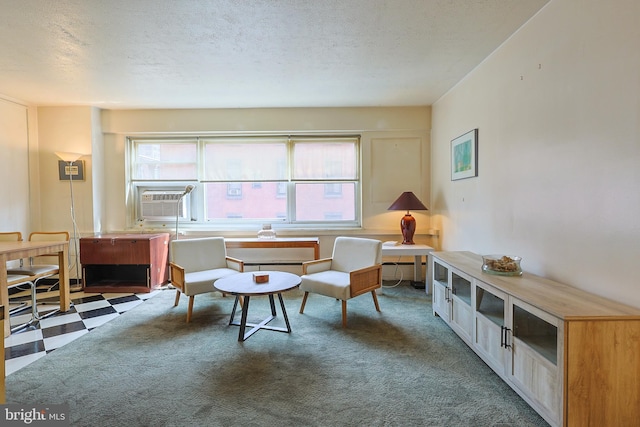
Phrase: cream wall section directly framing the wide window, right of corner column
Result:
[395,151]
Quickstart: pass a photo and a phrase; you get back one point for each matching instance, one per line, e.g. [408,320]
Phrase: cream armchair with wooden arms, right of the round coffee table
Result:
[355,268]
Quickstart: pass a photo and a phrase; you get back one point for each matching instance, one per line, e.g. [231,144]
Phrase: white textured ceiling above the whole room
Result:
[252,53]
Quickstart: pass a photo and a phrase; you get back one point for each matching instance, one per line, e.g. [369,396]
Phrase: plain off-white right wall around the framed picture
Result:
[558,112]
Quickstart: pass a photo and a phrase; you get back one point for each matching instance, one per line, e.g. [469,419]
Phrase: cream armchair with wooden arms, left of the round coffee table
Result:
[196,264]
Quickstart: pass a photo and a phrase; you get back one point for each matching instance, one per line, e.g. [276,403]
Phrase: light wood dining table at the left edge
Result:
[19,250]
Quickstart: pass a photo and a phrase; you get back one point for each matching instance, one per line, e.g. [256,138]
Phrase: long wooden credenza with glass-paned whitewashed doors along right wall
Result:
[573,356]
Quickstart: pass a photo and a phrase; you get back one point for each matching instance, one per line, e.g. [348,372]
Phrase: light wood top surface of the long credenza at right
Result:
[558,299]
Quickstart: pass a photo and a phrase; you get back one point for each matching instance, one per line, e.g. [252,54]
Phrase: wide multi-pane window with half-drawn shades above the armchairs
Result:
[293,181]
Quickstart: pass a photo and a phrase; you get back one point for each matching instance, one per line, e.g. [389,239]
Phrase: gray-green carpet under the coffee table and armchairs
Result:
[400,367]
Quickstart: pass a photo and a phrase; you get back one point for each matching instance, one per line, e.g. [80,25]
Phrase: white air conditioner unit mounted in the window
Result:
[163,205]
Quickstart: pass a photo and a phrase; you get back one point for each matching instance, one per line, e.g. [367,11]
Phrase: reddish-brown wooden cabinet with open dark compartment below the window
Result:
[124,262]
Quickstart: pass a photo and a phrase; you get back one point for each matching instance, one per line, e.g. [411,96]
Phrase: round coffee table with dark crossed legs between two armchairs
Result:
[243,285]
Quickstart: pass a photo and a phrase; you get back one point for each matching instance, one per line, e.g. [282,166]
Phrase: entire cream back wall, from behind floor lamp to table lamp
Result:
[395,158]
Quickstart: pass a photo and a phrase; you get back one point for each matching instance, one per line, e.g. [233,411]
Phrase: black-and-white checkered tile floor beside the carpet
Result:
[88,311]
